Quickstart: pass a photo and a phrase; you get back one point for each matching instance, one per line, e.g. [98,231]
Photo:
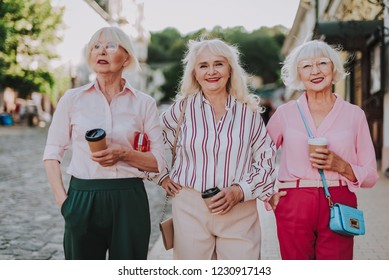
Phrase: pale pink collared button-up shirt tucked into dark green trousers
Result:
[86,108]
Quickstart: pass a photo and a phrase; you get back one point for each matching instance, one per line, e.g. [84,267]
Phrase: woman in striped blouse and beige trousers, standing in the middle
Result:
[222,143]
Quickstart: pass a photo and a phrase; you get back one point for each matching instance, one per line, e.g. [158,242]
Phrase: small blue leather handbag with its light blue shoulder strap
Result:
[344,219]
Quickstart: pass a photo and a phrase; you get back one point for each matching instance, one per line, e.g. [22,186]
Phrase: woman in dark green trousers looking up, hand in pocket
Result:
[106,207]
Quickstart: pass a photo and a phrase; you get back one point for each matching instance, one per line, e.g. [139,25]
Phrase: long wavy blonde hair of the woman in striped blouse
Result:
[237,84]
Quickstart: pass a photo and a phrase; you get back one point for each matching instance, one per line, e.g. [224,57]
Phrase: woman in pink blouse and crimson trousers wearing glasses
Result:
[349,163]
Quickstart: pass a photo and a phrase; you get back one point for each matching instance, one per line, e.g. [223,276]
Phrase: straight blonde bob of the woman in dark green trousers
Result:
[113,34]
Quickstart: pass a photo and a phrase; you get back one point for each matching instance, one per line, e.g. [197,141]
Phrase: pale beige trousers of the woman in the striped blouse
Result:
[200,235]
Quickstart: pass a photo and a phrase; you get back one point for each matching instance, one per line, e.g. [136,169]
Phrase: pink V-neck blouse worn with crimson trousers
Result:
[347,131]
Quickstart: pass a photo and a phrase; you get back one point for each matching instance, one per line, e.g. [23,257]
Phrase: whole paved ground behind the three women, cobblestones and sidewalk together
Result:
[31,226]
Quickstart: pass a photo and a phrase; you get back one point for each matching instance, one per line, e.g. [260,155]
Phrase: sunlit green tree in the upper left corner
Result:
[28,34]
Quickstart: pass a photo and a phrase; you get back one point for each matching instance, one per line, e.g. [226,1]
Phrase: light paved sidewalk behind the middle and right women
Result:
[374,245]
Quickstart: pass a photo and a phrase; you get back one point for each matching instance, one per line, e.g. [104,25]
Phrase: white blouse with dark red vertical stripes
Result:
[235,150]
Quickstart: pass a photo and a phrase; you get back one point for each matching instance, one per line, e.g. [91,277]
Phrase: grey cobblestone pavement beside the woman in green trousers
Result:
[31,226]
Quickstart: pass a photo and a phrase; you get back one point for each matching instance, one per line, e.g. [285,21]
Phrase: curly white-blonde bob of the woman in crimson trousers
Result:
[310,50]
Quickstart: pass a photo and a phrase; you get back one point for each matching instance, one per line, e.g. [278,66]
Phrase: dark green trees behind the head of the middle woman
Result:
[260,52]
